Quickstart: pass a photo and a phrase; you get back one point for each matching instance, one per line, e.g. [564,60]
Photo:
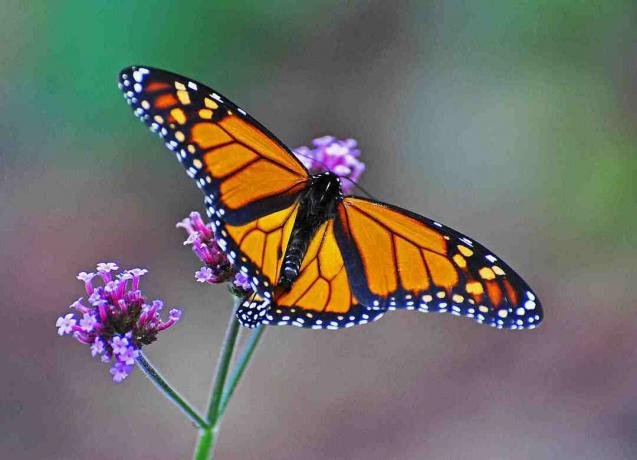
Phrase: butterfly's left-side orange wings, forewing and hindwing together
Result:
[250,179]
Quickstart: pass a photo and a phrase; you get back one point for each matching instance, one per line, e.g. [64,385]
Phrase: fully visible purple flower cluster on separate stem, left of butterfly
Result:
[116,321]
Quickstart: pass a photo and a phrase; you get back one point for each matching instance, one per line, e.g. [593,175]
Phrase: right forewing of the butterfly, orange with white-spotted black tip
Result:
[398,259]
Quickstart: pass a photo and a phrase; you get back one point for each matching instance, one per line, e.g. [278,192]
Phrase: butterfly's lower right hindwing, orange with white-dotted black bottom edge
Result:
[320,298]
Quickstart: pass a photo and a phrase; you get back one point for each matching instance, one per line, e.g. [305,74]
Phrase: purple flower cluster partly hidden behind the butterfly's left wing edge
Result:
[217,268]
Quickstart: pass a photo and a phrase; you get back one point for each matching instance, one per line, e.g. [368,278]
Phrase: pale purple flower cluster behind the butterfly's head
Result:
[338,156]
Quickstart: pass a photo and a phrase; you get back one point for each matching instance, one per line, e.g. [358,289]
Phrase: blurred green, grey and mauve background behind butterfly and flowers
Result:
[514,122]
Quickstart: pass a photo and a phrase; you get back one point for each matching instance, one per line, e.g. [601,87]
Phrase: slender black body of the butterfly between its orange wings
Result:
[317,204]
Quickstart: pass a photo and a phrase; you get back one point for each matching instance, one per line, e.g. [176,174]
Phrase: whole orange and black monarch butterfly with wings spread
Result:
[316,258]
